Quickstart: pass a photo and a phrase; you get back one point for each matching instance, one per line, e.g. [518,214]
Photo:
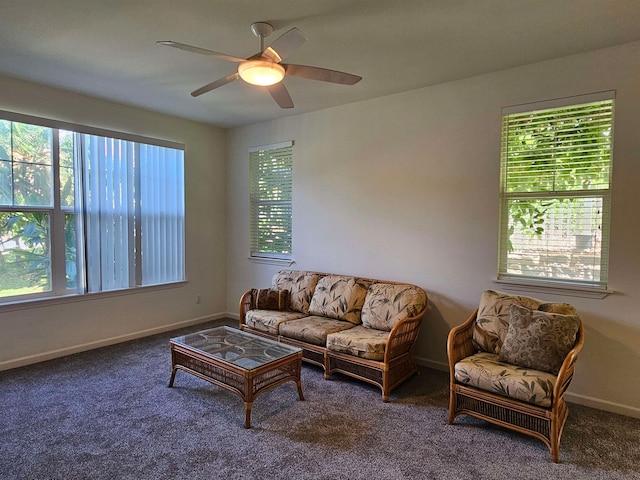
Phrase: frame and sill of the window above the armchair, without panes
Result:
[593,289]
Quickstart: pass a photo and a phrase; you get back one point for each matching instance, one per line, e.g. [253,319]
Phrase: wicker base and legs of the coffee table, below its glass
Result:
[246,383]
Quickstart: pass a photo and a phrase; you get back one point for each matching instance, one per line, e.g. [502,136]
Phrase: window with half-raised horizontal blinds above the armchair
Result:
[555,192]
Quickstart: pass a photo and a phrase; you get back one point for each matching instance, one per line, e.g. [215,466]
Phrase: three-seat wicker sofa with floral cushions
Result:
[360,327]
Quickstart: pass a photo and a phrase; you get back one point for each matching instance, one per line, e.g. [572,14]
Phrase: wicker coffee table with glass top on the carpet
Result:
[237,361]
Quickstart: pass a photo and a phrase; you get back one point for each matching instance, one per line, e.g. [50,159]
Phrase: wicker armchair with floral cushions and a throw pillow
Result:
[511,362]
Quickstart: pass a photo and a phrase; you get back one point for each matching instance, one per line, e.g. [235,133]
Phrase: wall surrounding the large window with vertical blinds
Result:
[54,329]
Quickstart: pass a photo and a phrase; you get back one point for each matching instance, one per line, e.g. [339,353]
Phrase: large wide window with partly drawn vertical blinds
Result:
[81,212]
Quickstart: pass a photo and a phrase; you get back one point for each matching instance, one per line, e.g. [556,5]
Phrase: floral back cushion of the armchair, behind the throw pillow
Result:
[492,320]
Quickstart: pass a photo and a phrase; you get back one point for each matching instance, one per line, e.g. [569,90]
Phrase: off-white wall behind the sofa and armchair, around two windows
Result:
[405,188]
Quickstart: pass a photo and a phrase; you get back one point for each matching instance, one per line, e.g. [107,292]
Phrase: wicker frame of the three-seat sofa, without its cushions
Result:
[396,367]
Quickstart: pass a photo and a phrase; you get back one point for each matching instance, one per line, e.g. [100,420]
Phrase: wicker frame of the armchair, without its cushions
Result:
[545,424]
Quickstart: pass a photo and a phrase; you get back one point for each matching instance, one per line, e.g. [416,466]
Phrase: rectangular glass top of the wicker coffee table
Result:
[236,347]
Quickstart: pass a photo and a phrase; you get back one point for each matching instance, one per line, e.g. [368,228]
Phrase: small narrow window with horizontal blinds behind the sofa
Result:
[271,206]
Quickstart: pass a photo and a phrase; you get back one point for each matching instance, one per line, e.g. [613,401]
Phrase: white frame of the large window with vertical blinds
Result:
[57,213]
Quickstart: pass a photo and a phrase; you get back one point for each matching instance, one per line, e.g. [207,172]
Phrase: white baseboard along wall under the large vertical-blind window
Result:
[63,352]
